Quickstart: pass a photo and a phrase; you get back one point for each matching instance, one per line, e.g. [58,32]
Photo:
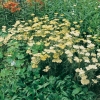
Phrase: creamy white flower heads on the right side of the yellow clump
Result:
[90,56]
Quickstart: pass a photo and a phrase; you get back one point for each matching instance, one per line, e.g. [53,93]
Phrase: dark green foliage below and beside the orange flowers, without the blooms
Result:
[8,18]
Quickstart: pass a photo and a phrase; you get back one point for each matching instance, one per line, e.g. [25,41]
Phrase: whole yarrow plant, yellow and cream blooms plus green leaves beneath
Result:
[53,45]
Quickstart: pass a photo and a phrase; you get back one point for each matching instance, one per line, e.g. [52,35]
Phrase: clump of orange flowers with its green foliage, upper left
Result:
[12,10]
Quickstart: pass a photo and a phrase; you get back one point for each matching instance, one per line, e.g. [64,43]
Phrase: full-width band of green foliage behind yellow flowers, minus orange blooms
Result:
[85,10]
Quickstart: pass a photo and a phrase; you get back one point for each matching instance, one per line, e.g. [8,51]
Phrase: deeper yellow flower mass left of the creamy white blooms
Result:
[55,36]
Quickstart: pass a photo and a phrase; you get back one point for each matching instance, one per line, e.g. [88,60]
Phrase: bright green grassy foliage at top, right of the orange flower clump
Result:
[75,10]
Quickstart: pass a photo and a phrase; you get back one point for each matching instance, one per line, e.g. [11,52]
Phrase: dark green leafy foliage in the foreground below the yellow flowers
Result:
[26,83]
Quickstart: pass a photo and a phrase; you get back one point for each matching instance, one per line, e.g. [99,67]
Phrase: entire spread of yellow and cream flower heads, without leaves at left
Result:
[58,40]
